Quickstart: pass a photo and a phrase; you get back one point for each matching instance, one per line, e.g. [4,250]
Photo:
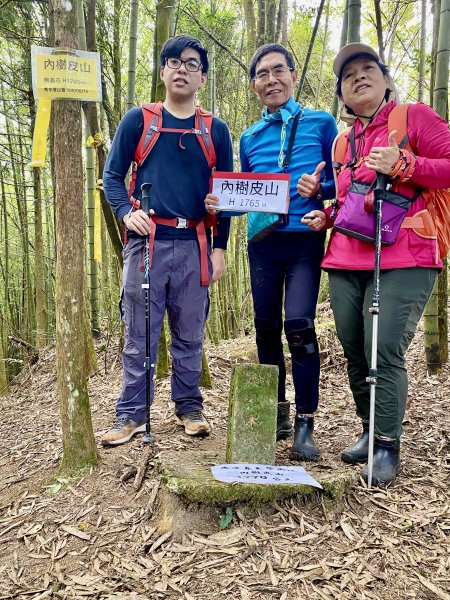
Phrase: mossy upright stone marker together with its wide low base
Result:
[250,439]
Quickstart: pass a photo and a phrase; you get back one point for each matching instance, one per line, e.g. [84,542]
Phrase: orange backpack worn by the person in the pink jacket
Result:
[434,221]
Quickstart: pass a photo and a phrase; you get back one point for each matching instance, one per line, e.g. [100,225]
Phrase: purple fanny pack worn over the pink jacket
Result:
[356,217]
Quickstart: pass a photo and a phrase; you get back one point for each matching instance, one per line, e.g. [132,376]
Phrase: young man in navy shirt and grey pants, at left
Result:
[179,173]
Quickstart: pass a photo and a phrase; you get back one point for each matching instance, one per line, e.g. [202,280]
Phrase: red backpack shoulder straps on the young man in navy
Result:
[152,114]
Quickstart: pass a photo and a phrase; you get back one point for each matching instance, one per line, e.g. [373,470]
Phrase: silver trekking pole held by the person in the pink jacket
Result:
[380,187]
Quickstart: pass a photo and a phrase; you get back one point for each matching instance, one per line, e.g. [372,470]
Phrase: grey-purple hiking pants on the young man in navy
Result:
[175,285]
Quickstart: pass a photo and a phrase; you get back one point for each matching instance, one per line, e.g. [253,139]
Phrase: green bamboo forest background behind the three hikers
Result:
[128,34]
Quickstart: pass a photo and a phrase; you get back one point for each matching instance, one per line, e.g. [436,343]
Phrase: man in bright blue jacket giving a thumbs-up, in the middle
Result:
[287,261]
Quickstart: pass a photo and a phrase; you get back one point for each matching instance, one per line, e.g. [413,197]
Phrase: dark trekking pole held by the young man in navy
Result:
[145,206]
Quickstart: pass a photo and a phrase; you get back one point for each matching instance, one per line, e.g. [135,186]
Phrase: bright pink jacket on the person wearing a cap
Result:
[429,138]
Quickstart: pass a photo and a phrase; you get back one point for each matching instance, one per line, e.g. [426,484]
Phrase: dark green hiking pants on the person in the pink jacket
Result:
[403,295]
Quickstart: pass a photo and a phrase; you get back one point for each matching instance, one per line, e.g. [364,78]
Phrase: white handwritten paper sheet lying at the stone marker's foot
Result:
[265,474]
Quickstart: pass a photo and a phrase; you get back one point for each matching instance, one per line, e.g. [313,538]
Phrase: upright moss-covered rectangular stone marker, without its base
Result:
[252,414]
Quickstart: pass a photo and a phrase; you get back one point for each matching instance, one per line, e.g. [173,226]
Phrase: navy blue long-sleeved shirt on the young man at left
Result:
[179,176]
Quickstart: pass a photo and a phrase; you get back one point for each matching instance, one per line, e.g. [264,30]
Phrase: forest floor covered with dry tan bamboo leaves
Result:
[97,537]
